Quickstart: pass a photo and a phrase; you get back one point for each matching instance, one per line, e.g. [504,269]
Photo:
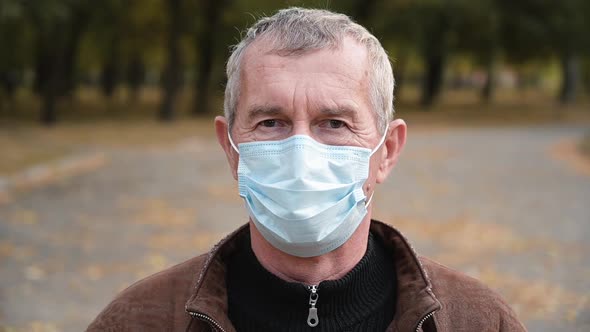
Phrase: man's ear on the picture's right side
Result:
[392,148]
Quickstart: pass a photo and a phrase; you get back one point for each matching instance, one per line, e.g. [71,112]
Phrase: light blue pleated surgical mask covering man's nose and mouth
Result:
[305,198]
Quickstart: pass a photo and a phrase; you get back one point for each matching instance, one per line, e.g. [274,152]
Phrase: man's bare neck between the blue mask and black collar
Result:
[312,270]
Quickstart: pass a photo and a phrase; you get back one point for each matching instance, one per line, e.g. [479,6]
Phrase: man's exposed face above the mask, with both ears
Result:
[323,94]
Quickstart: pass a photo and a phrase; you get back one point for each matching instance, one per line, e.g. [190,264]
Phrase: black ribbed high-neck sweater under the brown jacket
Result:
[362,300]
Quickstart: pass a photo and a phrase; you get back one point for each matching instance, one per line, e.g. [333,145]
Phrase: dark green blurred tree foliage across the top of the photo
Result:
[83,37]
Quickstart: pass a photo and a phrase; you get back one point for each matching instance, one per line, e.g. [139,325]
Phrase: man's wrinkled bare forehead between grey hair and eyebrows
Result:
[325,73]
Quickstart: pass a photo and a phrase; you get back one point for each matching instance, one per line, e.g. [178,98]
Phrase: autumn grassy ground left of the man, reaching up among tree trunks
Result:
[89,122]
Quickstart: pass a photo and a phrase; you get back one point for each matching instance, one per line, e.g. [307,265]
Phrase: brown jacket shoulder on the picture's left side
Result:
[154,303]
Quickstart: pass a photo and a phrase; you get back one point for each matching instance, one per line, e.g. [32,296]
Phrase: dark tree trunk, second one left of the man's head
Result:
[172,73]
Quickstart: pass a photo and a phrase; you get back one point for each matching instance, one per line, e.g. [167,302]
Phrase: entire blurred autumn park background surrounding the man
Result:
[109,169]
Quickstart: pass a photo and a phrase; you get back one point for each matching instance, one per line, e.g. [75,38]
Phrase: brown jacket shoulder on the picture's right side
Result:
[468,304]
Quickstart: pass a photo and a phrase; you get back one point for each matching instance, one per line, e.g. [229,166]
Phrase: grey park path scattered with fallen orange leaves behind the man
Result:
[506,205]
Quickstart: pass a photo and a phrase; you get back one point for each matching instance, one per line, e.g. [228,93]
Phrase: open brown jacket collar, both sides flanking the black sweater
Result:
[415,299]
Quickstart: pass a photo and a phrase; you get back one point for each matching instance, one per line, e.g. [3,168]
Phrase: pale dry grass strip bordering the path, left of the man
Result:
[26,145]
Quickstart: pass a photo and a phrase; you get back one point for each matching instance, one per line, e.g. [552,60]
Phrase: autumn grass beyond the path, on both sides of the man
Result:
[87,121]
